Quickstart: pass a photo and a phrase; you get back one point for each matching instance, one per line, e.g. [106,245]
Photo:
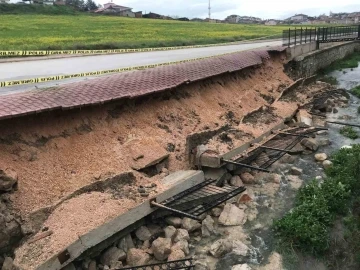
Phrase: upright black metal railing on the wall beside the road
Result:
[298,36]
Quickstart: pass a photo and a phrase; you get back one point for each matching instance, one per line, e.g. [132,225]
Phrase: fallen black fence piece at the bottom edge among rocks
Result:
[173,265]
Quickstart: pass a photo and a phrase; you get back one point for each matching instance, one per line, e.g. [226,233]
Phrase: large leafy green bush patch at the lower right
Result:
[306,228]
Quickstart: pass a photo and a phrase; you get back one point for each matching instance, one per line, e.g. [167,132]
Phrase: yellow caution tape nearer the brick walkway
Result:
[97,73]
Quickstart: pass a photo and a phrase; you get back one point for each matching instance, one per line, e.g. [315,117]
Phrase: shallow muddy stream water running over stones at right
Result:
[259,236]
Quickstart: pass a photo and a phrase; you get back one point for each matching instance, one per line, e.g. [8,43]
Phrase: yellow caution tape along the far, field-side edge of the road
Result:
[89,52]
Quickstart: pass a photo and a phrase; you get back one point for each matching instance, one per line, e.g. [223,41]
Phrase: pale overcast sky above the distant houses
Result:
[265,9]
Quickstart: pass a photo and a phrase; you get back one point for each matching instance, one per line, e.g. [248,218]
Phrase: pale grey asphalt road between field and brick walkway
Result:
[34,68]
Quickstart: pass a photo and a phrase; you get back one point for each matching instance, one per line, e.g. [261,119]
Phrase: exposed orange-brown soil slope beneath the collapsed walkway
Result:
[57,153]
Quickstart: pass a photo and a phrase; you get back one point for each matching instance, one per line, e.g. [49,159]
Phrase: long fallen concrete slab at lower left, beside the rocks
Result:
[175,184]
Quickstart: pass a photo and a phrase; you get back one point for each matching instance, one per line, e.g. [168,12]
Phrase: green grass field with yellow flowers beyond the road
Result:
[38,32]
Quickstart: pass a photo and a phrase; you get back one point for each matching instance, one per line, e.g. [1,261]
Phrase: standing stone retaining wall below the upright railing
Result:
[308,64]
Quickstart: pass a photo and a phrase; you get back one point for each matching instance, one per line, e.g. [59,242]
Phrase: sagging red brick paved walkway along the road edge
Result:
[126,85]
